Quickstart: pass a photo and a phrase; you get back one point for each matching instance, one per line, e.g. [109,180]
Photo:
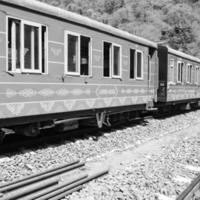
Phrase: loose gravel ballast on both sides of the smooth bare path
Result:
[137,180]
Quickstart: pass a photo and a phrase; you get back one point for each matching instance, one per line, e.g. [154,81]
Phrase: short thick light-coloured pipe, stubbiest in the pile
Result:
[31,188]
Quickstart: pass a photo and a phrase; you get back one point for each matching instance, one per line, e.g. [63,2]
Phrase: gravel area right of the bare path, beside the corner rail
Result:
[150,178]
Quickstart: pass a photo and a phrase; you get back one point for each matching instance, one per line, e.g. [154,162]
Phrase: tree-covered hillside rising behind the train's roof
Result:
[174,21]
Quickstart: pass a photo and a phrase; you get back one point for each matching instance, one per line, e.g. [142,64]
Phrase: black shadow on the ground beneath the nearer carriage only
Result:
[17,143]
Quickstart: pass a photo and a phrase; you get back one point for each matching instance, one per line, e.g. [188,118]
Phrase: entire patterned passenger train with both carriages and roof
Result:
[57,65]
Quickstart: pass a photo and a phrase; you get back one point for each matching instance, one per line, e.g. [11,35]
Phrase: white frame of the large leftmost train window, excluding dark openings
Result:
[22,69]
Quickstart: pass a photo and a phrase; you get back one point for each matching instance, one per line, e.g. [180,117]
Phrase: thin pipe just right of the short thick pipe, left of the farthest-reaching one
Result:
[53,188]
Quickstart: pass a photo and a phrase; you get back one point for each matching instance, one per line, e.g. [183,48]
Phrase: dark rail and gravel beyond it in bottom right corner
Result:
[192,192]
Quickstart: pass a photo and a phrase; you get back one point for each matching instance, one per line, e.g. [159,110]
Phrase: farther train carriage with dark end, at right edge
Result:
[179,77]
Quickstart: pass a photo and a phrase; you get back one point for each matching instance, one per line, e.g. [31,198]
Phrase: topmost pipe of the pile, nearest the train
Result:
[35,175]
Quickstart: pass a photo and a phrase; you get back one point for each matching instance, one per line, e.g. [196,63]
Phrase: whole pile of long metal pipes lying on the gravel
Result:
[52,184]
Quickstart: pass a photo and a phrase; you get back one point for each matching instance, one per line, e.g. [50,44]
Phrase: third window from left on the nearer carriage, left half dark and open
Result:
[111,60]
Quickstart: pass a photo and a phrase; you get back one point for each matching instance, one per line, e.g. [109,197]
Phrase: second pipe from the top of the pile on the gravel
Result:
[41,177]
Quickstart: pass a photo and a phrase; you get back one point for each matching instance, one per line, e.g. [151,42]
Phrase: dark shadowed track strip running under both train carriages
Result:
[14,142]
